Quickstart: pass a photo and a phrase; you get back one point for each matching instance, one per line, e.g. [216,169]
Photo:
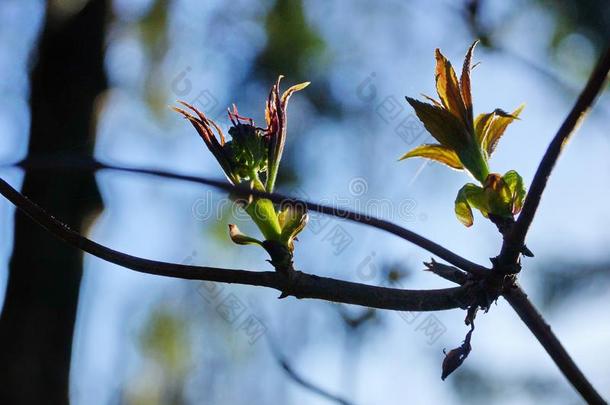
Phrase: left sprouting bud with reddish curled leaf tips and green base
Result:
[250,152]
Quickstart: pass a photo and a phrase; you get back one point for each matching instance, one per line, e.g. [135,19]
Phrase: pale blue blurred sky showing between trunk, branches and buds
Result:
[154,218]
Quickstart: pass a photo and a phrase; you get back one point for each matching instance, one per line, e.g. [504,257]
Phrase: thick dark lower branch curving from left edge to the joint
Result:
[303,286]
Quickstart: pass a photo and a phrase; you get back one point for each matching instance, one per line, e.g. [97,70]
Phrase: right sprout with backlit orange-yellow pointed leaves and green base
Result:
[466,144]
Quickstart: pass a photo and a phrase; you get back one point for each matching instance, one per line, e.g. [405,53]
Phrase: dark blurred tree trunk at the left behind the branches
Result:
[37,322]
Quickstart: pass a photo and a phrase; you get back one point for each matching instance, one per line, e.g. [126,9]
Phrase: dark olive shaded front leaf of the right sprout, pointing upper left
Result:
[441,124]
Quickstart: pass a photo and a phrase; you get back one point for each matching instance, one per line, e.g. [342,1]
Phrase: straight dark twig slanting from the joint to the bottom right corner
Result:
[536,323]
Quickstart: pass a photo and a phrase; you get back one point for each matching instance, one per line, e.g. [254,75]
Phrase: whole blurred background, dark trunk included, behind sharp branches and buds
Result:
[96,77]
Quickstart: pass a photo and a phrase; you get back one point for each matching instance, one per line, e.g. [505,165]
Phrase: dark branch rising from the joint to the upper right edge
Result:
[516,236]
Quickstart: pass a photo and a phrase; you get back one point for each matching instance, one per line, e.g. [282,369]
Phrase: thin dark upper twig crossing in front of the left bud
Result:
[65,163]
